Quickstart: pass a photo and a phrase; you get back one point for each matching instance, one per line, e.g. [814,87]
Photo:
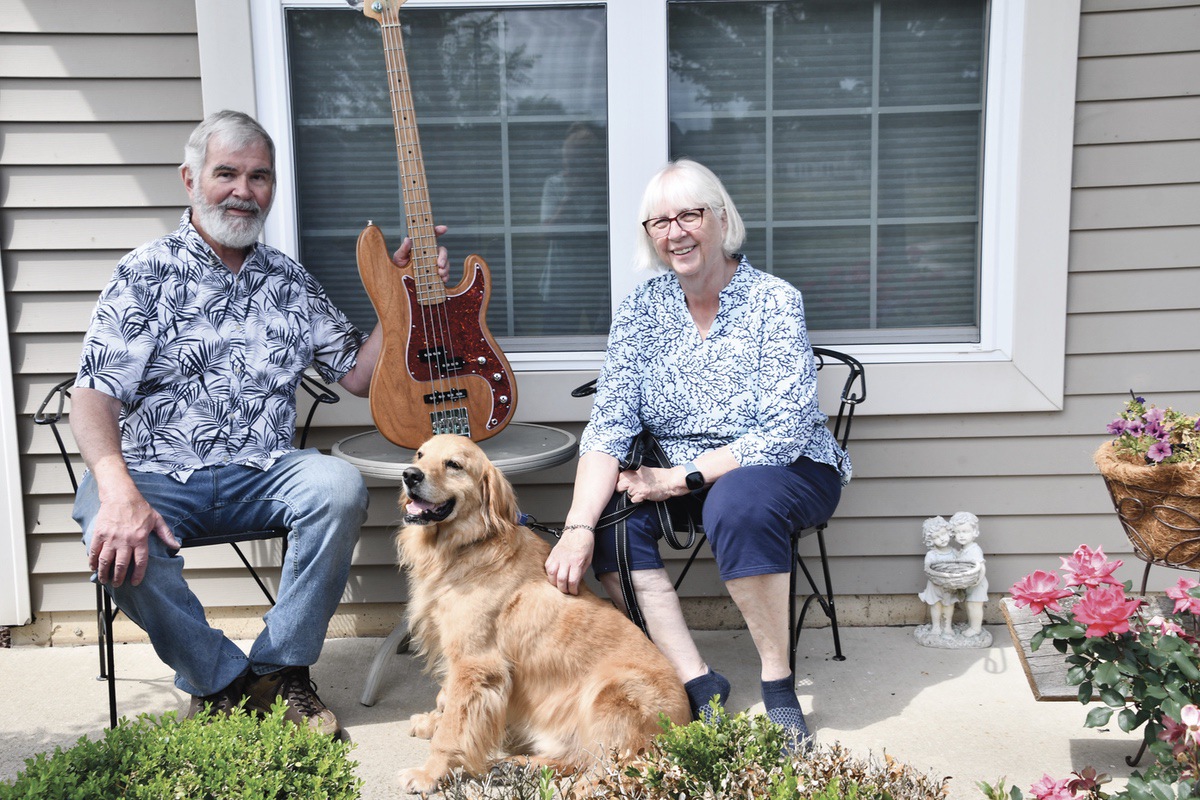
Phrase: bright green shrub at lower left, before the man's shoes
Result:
[205,759]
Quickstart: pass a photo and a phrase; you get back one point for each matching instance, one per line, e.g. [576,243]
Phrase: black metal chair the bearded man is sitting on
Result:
[106,612]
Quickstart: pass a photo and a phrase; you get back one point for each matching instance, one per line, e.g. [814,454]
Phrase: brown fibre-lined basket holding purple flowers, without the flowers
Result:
[1159,506]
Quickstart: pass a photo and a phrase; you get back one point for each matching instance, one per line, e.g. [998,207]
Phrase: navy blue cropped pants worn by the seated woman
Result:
[749,515]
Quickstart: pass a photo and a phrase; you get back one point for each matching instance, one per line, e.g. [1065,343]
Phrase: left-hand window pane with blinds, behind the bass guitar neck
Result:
[512,111]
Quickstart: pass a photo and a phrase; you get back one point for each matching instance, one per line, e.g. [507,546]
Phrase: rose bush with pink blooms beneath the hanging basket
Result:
[1143,665]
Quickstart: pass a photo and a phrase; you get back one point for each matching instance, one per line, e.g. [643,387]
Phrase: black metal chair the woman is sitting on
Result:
[854,393]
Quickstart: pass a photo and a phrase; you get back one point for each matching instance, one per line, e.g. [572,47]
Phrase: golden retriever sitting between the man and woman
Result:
[525,670]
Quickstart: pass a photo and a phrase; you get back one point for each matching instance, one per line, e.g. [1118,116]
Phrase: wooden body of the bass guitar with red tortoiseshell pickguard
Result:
[440,370]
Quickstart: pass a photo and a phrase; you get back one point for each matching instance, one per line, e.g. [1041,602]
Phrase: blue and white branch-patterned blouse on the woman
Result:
[752,384]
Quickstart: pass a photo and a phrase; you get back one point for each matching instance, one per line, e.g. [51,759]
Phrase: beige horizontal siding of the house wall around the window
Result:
[88,171]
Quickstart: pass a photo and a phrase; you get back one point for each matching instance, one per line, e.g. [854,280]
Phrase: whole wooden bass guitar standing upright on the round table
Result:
[441,371]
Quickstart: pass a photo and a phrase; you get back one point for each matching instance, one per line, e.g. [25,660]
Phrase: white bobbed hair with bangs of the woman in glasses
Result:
[687,184]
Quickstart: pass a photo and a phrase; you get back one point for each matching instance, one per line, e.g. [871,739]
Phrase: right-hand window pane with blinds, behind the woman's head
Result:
[850,133]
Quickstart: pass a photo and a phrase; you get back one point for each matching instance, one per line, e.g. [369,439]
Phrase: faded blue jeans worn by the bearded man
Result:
[320,500]
